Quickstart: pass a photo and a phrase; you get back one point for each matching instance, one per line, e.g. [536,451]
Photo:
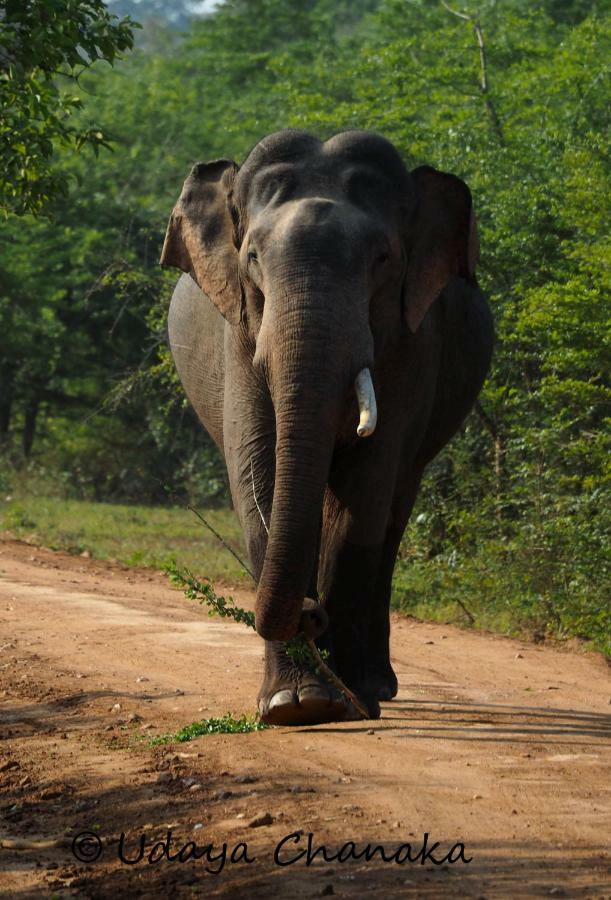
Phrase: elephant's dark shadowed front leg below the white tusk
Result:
[370,495]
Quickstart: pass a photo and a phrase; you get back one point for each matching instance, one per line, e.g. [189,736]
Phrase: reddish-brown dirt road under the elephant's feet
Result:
[495,744]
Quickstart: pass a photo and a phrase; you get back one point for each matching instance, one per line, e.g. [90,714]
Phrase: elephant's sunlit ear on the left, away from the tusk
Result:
[199,238]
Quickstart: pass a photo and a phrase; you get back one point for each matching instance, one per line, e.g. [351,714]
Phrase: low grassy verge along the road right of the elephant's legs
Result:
[510,588]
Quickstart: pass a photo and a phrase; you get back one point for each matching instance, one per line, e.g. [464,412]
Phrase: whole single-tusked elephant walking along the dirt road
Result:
[330,335]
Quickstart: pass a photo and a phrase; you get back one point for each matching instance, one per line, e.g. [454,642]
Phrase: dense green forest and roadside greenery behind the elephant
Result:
[511,531]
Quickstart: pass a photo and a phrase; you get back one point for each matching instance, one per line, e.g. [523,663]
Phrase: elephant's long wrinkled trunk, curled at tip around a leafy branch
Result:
[310,367]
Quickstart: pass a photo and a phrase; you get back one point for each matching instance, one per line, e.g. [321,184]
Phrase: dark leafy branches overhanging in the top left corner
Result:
[43,42]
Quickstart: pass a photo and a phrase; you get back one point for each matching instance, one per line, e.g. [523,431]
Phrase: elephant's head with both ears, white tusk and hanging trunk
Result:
[319,253]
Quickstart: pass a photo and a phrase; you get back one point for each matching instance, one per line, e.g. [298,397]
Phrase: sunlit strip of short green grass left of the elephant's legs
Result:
[132,535]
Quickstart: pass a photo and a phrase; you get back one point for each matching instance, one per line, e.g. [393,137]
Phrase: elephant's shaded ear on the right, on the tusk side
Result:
[440,240]
